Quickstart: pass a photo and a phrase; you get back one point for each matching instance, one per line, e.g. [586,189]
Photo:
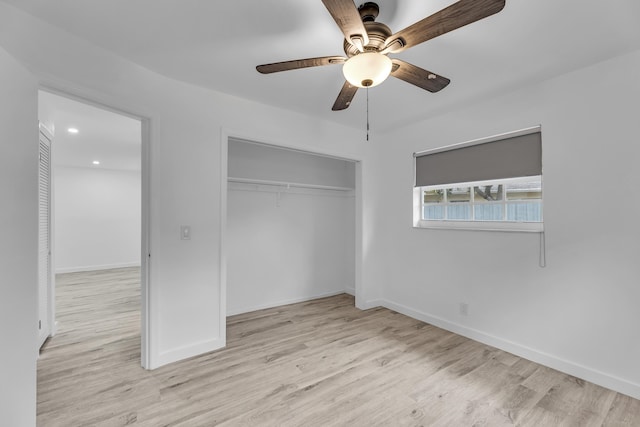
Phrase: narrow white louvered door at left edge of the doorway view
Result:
[45,294]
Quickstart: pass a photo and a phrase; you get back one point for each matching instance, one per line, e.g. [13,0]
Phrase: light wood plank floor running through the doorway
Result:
[321,363]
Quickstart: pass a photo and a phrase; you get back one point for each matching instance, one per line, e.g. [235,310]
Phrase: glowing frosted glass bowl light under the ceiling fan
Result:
[367,69]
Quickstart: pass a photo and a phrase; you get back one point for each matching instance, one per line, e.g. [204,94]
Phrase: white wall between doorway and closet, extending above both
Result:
[187,125]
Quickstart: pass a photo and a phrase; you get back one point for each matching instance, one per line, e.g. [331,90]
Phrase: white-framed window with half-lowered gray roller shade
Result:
[506,194]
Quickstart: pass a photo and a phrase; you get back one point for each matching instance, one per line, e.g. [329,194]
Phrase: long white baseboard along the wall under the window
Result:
[592,375]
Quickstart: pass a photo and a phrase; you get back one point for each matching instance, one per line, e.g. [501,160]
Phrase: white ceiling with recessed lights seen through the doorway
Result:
[112,139]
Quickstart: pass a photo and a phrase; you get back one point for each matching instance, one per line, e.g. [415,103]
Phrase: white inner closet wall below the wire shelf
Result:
[294,250]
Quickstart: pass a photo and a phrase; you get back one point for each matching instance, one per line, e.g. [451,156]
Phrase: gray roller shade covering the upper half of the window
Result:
[505,158]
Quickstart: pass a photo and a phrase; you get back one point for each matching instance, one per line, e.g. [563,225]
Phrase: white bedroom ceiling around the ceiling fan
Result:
[217,45]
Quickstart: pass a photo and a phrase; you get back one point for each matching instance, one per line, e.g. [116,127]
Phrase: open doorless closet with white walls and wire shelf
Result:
[291,226]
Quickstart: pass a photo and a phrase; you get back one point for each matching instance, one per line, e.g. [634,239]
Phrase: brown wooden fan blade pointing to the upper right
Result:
[450,18]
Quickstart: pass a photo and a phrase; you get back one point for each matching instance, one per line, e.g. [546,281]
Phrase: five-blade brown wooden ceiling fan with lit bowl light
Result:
[367,44]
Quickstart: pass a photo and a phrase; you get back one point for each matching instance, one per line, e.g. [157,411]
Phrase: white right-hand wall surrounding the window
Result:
[579,314]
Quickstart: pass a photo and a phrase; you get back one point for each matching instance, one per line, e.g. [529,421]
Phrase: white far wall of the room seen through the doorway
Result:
[97,218]
